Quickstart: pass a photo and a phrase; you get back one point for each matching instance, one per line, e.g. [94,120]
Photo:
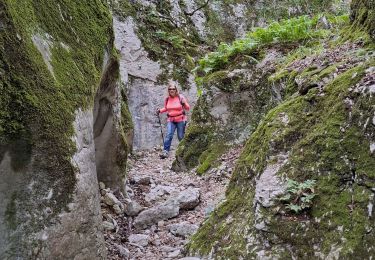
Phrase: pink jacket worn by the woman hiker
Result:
[174,106]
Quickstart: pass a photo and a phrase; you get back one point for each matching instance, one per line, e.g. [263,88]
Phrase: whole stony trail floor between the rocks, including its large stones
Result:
[162,208]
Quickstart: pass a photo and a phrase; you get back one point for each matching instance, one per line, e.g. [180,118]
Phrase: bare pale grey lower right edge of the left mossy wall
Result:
[79,229]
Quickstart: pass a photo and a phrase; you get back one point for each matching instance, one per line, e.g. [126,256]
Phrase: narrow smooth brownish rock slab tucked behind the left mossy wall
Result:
[110,149]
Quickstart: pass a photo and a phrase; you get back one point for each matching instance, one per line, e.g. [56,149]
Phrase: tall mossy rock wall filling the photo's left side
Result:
[54,58]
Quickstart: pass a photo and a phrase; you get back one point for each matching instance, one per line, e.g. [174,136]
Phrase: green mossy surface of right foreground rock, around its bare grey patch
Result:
[325,140]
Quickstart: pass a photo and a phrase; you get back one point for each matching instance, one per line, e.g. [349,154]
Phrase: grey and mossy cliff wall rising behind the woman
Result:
[162,40]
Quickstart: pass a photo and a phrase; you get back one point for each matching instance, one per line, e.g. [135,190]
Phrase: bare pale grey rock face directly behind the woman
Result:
[145,95]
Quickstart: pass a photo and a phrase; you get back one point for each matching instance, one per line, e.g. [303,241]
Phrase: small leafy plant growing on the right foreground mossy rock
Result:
[299,195]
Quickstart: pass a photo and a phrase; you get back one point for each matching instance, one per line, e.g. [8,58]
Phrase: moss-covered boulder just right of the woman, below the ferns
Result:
[228,111]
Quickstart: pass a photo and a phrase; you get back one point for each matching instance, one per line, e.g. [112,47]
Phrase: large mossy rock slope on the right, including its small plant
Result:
[321,136]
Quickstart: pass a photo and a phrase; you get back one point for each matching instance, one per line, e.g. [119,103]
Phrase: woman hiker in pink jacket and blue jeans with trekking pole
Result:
[175,106]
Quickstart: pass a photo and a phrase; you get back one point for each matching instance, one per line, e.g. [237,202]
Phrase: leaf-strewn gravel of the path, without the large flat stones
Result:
[150,183]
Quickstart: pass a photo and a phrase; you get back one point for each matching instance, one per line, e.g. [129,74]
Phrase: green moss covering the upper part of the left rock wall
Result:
[38,107]
